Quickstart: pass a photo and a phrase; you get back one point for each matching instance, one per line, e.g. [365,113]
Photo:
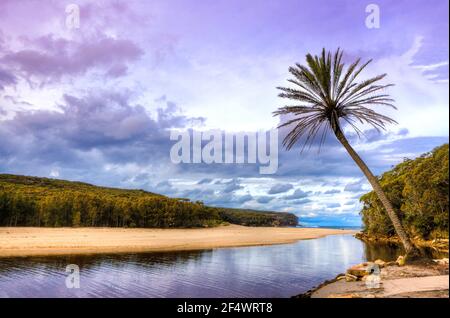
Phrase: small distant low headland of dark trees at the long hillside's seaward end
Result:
[258,218]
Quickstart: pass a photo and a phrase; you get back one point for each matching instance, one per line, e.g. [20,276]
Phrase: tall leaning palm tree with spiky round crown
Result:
[329,97]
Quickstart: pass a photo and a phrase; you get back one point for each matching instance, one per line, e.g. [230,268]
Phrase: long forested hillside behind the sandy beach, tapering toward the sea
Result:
[33,201]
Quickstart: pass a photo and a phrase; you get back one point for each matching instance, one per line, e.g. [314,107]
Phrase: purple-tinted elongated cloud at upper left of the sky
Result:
[49,58]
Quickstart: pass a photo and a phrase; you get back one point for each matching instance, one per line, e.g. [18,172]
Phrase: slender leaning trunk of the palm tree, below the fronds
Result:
[410,249]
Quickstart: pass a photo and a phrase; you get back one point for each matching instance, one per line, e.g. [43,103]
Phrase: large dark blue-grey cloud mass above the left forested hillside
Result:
[87,133]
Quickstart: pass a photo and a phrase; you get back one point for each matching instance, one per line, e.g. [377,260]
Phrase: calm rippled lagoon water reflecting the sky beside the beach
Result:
[263,271]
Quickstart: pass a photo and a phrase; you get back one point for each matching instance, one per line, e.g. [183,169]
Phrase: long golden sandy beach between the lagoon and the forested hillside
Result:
[29,241]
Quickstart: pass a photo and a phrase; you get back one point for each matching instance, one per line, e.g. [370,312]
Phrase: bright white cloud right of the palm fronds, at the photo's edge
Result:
[423,103]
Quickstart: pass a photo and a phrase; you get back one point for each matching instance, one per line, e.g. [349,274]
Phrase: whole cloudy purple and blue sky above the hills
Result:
[95,102]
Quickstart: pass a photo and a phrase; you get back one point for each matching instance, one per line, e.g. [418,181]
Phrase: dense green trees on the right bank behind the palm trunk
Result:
[419,189]
